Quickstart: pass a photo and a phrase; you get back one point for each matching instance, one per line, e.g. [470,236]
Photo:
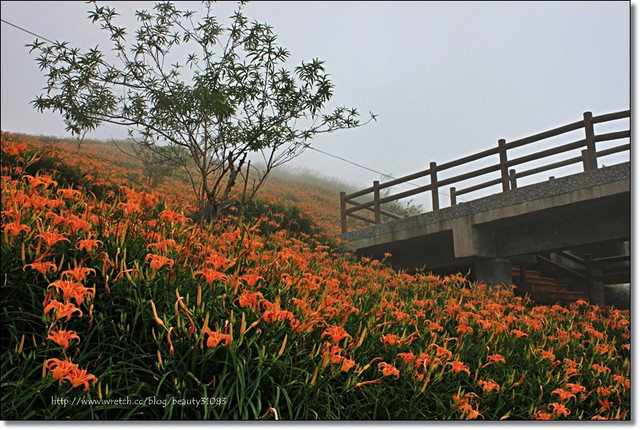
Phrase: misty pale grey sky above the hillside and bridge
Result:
[447,78]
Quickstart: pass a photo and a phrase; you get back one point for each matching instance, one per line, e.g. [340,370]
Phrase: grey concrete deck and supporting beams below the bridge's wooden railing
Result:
[488,235]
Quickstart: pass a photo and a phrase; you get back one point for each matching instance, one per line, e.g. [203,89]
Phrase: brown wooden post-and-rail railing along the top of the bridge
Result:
[507,176]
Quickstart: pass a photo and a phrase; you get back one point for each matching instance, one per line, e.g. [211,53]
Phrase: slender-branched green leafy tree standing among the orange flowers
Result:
[230,100]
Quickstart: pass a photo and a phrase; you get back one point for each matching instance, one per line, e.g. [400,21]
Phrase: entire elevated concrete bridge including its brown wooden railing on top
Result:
[583,215]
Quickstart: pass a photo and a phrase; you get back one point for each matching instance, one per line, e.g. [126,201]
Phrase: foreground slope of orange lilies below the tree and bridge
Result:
[115,306]
